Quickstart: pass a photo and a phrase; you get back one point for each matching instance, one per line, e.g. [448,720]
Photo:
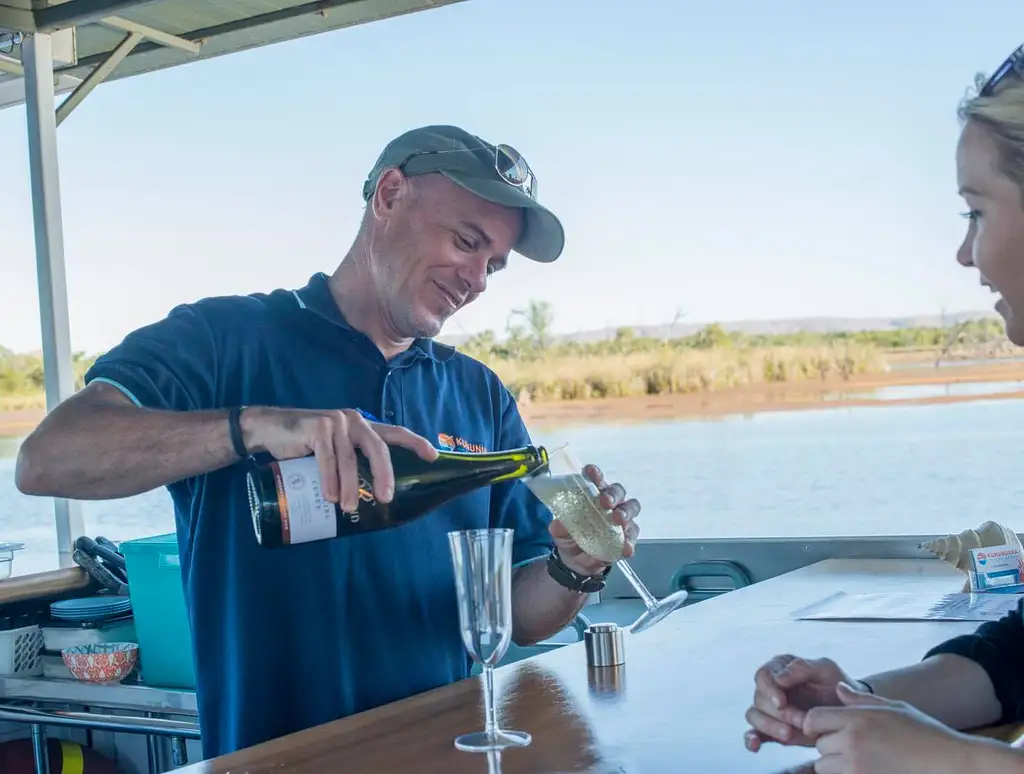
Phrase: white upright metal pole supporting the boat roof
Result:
[37,58]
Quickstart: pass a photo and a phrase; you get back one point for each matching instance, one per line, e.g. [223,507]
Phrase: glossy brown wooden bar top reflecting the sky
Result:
[676,706]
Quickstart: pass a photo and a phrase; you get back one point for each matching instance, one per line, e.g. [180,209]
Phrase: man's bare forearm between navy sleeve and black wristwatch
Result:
[541,608]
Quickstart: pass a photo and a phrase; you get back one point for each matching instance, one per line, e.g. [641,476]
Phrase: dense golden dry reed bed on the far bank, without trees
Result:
[679,371]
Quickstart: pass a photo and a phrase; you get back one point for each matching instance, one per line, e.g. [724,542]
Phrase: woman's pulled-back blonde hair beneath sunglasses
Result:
[1002,116]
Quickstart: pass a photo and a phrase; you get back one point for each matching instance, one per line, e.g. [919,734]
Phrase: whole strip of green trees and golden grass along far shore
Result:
[538,366]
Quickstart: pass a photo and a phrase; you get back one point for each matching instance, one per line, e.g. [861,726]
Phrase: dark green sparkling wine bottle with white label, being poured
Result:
[288,507]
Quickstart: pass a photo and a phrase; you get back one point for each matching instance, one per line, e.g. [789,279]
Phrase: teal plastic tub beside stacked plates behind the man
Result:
[159,606]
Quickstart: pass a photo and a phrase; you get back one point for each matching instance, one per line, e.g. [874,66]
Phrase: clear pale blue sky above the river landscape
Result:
[728,159]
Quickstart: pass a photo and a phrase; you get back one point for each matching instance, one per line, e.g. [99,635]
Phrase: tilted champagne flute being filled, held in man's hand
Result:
[575,501]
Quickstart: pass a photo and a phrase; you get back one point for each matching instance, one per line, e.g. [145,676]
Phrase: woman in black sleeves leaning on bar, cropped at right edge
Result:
[907,721]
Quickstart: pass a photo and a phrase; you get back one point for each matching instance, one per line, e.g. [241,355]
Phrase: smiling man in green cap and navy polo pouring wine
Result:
[288,639]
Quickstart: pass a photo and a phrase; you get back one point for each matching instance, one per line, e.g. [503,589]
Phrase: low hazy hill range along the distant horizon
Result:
[771,327]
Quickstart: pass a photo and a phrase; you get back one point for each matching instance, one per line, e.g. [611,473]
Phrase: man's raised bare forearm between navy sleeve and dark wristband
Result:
[99,446]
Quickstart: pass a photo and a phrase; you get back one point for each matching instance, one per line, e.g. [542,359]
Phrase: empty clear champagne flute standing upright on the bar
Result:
[483,564]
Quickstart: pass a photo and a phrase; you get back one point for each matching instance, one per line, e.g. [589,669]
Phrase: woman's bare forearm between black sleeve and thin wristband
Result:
[951,689]
